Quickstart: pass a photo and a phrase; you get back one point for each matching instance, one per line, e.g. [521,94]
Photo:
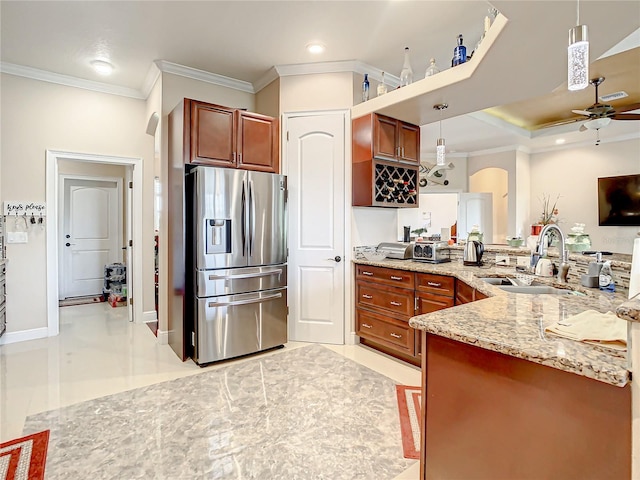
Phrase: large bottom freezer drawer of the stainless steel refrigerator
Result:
[233,325]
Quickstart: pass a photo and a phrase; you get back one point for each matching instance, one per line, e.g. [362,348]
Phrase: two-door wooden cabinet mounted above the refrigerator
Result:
[229,137]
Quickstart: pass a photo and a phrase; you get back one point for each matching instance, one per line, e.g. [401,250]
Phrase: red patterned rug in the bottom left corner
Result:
[24,458]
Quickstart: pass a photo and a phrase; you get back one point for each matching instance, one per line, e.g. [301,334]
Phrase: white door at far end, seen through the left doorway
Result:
[92,235]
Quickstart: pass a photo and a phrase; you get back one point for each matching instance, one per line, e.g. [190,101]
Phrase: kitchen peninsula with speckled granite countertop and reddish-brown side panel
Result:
[502,398]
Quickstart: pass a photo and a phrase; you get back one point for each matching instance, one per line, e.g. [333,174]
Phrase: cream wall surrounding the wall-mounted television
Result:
[572,173]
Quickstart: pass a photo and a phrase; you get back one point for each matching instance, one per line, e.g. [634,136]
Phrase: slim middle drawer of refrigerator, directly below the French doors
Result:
[211,283]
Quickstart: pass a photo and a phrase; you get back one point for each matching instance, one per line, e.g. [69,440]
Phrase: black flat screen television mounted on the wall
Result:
[619,201]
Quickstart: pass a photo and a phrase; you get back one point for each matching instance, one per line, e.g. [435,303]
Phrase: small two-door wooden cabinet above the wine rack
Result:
[392,139]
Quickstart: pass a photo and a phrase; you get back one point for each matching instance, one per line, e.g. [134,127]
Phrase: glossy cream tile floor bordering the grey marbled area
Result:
[99,352]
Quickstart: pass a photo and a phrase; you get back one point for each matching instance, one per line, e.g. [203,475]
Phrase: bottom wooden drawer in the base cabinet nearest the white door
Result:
[385,330]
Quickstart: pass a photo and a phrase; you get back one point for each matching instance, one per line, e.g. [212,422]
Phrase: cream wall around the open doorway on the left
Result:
[37,116]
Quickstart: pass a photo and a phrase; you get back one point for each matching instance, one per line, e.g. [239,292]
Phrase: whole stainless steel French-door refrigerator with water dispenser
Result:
[237,234]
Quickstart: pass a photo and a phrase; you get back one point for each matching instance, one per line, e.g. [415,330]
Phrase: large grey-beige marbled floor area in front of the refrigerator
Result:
[298,413]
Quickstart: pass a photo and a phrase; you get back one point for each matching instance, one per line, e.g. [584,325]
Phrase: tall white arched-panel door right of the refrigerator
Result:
[315,153]
